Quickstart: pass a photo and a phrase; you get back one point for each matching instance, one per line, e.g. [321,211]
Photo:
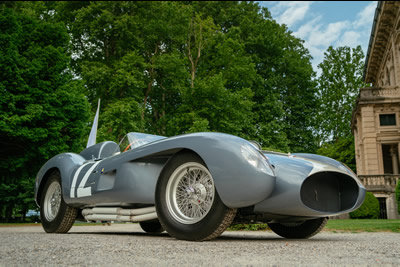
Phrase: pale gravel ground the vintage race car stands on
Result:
[127,244]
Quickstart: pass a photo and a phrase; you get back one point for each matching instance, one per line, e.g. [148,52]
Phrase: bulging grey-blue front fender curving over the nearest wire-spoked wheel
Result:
[239,184]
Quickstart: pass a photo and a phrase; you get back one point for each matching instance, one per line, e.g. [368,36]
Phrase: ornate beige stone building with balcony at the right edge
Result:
[376,117]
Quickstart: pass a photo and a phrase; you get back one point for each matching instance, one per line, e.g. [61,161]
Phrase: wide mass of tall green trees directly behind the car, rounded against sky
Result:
[196,66]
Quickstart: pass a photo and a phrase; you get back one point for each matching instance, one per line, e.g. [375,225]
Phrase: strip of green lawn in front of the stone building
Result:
[363,226]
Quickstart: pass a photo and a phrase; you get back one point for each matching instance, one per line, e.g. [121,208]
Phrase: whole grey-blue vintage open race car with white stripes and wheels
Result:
[194,186]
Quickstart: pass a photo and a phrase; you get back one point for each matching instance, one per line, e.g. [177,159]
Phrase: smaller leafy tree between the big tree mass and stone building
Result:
[338,86]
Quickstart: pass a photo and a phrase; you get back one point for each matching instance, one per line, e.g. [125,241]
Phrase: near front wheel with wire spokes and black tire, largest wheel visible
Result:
[207,226]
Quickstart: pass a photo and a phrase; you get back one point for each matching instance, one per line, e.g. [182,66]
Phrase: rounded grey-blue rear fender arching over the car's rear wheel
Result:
[65,163]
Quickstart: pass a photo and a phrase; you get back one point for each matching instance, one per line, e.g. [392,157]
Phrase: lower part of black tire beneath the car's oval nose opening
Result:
[299,230]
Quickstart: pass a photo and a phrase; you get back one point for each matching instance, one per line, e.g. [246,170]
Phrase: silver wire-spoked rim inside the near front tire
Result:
[190,193]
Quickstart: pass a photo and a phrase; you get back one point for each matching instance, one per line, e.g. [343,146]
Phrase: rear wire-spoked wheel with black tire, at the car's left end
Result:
[55,220]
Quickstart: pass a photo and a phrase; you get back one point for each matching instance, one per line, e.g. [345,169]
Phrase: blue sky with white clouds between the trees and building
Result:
[325,23]
